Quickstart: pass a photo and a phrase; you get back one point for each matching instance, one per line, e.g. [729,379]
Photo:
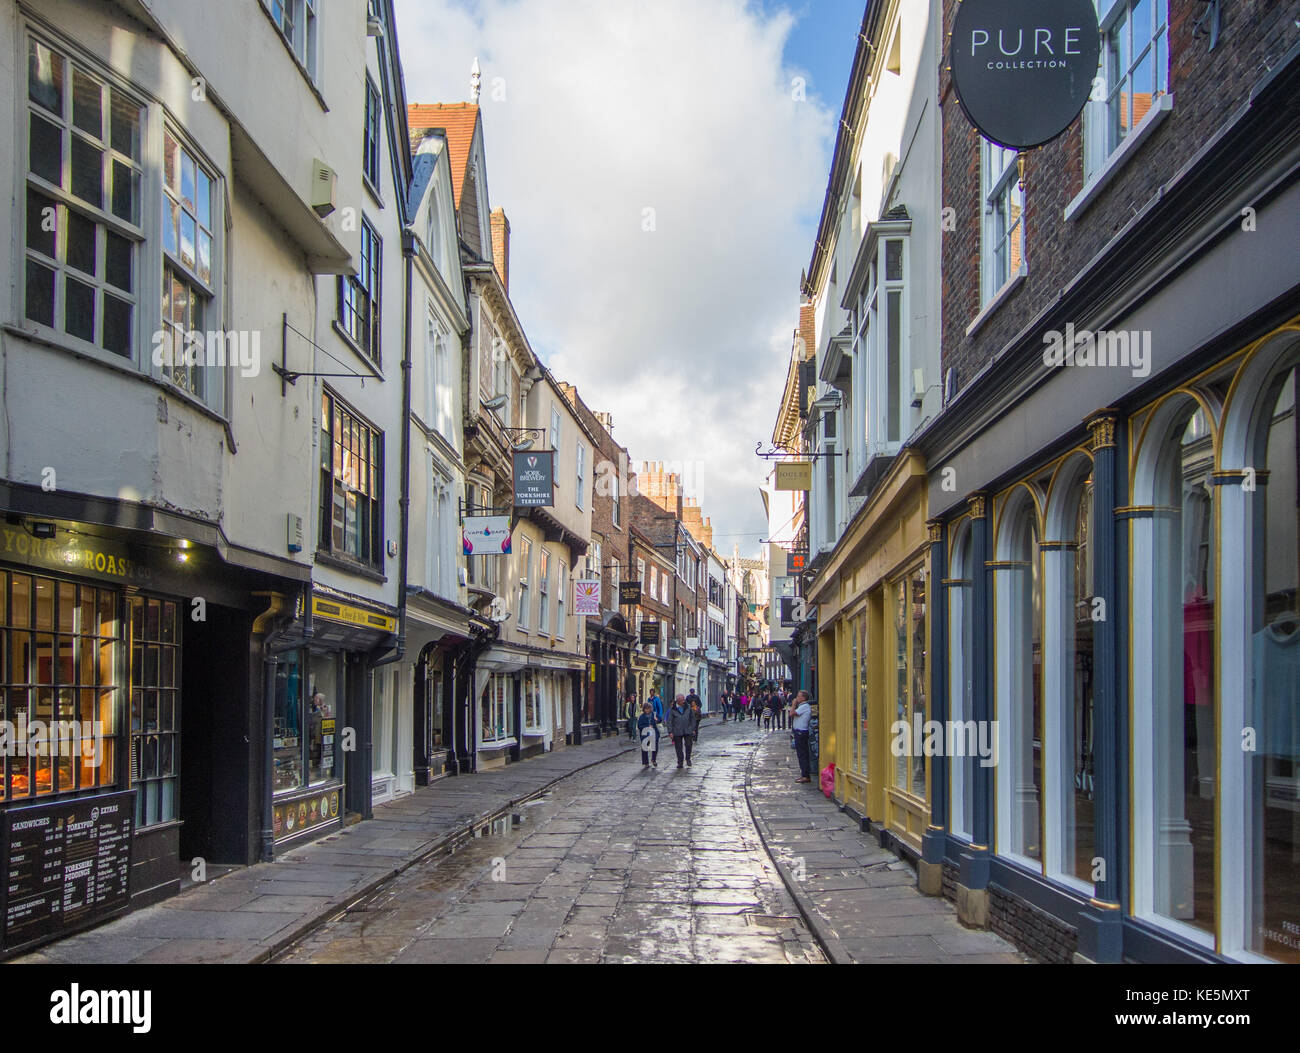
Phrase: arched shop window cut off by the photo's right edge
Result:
[1260,634]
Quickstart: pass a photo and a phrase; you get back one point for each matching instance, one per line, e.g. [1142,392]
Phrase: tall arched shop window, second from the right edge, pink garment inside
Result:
[1173,670]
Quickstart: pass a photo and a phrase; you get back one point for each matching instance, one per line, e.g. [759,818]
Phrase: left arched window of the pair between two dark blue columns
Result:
[1020,681]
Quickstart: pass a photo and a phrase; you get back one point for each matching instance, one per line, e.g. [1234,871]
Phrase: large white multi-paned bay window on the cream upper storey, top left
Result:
[88,272]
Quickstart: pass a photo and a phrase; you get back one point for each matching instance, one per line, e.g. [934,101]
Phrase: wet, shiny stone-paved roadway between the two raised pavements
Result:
[613,865]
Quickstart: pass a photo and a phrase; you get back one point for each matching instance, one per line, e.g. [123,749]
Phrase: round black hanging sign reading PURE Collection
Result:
[1024,70]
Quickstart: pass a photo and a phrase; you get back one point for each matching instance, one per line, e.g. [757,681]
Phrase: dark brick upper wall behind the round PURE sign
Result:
[1207,86]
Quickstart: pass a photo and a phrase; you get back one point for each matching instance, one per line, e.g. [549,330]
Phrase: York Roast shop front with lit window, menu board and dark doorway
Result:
[123,720]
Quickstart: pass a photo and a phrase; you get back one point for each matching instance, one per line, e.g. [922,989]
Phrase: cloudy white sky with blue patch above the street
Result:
[597,112]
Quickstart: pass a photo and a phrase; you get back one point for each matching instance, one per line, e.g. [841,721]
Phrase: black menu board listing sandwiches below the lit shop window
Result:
[64,866]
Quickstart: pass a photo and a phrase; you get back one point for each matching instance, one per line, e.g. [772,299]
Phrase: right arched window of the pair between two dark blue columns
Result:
[1068,688]
